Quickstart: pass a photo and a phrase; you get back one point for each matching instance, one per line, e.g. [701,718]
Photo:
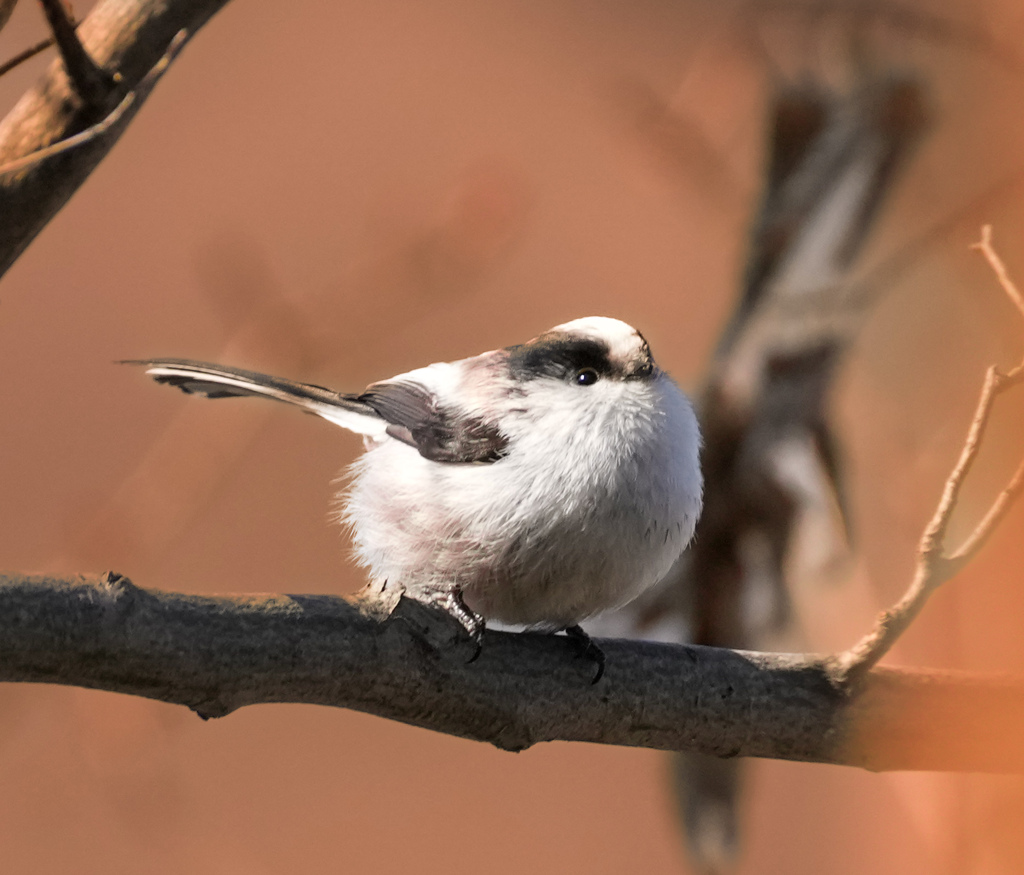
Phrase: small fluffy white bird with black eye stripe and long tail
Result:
[537,485]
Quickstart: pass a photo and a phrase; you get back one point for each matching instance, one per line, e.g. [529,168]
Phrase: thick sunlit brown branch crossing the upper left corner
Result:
[125,43]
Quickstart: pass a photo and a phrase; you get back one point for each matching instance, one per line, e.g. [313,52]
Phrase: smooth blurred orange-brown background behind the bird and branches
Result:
[339,192]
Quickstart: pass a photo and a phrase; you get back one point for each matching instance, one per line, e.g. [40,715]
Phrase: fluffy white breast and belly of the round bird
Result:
[595,501]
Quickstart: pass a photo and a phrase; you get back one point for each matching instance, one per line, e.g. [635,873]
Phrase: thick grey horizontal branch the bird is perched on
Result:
[218,655]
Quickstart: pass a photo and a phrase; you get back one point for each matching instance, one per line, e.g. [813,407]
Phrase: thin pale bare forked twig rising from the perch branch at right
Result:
[935,565]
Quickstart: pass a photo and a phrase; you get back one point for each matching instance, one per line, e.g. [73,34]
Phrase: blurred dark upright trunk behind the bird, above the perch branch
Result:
[770,443]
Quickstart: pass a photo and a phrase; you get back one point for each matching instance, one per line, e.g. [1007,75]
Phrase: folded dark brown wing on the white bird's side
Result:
[441,433]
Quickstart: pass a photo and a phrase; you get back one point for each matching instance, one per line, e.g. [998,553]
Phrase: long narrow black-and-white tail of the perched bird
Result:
[221,382]
